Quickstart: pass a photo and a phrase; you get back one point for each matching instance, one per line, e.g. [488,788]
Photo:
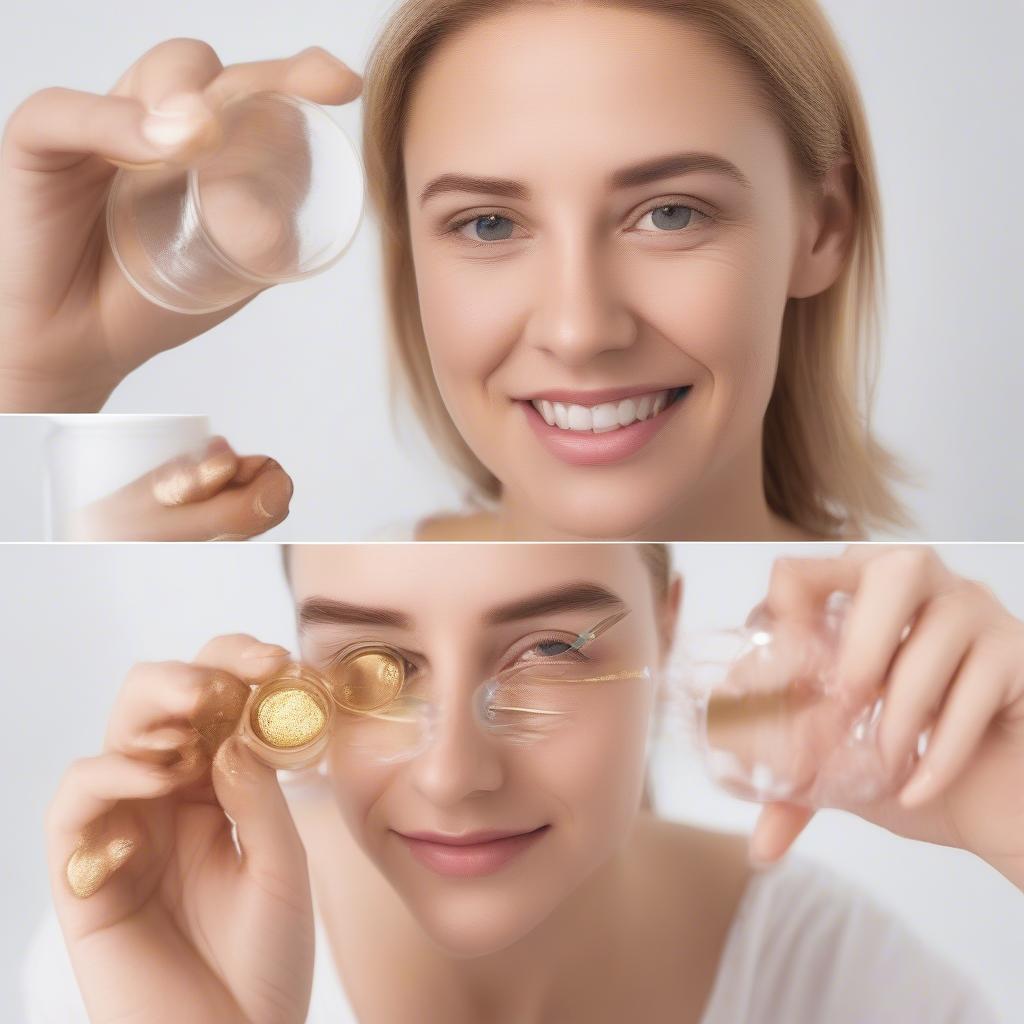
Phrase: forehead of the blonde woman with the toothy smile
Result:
[523,91]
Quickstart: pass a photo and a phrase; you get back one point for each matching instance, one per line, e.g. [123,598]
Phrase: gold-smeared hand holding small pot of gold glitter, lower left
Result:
[163,918]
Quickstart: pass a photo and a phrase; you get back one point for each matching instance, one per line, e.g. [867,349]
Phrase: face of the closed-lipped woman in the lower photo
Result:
[458,615]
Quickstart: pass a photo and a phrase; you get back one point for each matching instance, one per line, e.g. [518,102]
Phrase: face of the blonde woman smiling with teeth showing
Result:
[577,289]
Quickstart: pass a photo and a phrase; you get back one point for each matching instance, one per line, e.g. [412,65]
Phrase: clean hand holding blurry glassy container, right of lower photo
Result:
[961,664]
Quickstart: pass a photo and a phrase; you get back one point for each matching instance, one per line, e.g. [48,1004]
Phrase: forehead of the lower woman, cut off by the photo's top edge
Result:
[461,581]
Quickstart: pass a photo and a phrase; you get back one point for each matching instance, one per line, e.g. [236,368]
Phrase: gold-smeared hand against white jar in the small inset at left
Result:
[219,497]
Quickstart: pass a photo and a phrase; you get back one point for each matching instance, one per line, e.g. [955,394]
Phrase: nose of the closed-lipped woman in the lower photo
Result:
[460,760]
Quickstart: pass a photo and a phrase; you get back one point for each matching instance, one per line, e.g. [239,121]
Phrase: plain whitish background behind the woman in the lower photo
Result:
[77,617]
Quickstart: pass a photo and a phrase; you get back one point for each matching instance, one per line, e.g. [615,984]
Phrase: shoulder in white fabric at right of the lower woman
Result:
[808,945]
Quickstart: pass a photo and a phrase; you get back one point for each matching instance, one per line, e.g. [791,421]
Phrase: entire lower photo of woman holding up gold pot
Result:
[752,783]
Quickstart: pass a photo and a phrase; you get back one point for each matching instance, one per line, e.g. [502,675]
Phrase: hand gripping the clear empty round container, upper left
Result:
[72,327]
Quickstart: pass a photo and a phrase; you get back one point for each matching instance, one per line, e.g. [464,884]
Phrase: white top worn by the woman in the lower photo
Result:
[805,947]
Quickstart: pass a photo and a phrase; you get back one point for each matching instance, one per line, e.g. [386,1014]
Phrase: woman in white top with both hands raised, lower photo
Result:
[603,912]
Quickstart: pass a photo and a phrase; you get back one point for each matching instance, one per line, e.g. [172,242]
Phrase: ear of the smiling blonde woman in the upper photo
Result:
[827,232]
